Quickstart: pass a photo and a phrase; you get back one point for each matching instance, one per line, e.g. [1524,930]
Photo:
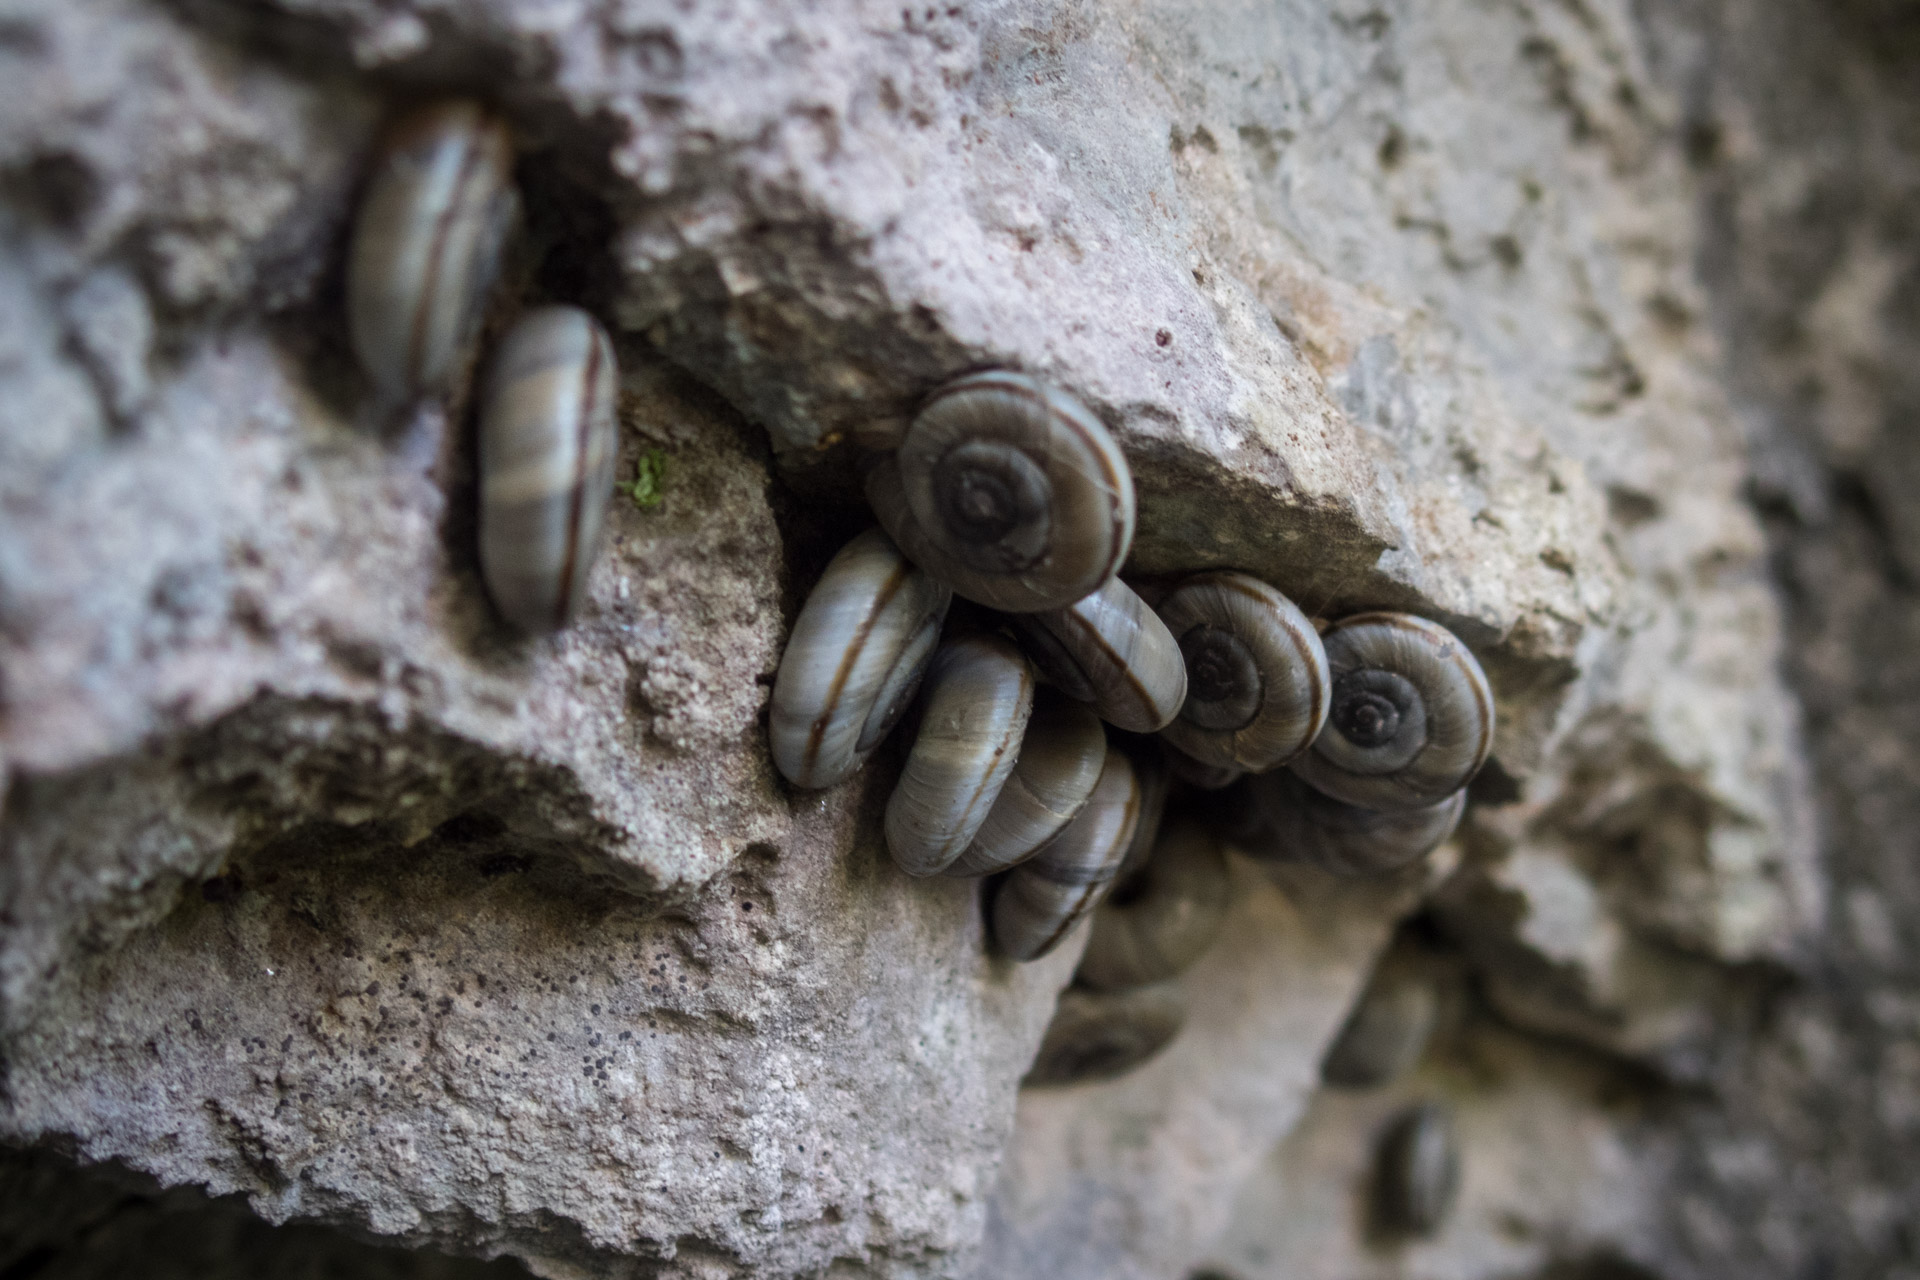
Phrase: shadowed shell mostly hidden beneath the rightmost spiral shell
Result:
[1299,824]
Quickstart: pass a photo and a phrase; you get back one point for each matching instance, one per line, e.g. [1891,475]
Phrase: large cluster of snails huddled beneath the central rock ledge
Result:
[1347,747]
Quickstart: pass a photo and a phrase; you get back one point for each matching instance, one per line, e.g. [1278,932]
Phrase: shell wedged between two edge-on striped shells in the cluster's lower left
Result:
[1059,765]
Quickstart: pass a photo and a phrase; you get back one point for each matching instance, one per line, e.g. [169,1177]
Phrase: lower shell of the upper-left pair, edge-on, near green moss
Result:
[548,444]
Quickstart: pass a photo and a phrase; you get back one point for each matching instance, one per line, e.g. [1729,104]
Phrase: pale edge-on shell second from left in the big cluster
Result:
[974,711]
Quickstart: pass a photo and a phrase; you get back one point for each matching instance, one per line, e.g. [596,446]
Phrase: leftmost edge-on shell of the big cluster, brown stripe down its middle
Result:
[855,661]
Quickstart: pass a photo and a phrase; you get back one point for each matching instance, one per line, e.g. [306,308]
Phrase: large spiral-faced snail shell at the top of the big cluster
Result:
[1011,492]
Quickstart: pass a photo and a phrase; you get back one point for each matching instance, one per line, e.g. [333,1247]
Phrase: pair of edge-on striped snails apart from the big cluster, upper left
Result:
[429,241]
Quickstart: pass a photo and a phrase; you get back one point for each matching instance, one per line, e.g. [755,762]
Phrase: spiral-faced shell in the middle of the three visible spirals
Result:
[1257,675]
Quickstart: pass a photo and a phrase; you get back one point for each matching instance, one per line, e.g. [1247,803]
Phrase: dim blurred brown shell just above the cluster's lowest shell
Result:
[1159,922]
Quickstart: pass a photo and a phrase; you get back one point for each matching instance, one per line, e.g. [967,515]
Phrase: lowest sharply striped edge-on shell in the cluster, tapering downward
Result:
[1047,895]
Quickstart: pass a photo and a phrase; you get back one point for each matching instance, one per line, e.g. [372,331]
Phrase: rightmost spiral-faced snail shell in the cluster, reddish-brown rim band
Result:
[1412,717]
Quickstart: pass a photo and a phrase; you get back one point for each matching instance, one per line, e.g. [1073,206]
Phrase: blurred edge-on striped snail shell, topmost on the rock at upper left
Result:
[427,245]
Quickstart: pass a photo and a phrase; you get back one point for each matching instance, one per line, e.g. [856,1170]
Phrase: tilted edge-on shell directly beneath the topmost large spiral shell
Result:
[1111,650]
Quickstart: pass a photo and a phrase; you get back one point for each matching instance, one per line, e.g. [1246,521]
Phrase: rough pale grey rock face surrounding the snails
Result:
[322,891]
